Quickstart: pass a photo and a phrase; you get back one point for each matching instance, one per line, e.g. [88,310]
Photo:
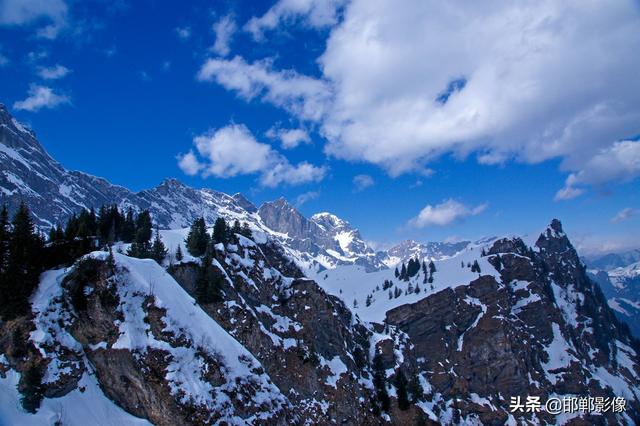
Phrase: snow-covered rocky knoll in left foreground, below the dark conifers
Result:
[157,327]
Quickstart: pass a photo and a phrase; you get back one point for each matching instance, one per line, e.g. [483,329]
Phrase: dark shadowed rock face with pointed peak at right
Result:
[496,338]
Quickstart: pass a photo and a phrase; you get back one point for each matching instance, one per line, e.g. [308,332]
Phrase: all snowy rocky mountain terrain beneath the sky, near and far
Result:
[295,320]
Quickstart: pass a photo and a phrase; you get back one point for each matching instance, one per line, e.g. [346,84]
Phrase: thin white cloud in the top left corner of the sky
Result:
[25,12]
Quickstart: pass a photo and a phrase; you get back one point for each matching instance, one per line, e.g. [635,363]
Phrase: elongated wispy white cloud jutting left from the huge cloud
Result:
[301,95]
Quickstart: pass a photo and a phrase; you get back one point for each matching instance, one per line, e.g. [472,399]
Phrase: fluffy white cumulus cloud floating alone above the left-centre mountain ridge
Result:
[232,150]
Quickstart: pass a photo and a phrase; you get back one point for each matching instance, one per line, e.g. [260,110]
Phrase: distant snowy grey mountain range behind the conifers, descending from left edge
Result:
[53,193]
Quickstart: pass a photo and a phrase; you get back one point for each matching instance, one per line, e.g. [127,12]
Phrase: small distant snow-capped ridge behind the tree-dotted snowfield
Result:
[409,249]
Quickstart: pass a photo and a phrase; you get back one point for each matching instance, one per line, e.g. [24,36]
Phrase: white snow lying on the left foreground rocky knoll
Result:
[137,281]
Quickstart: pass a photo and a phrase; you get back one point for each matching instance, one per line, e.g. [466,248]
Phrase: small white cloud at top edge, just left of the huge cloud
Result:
[312,13]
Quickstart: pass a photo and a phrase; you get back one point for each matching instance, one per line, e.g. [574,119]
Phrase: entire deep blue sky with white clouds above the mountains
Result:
[537,126]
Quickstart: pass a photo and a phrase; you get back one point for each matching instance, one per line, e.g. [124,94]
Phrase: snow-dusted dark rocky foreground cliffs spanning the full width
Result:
[279,349]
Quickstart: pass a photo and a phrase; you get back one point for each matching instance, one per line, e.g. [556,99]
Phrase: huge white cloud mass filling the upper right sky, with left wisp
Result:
[401,87]
